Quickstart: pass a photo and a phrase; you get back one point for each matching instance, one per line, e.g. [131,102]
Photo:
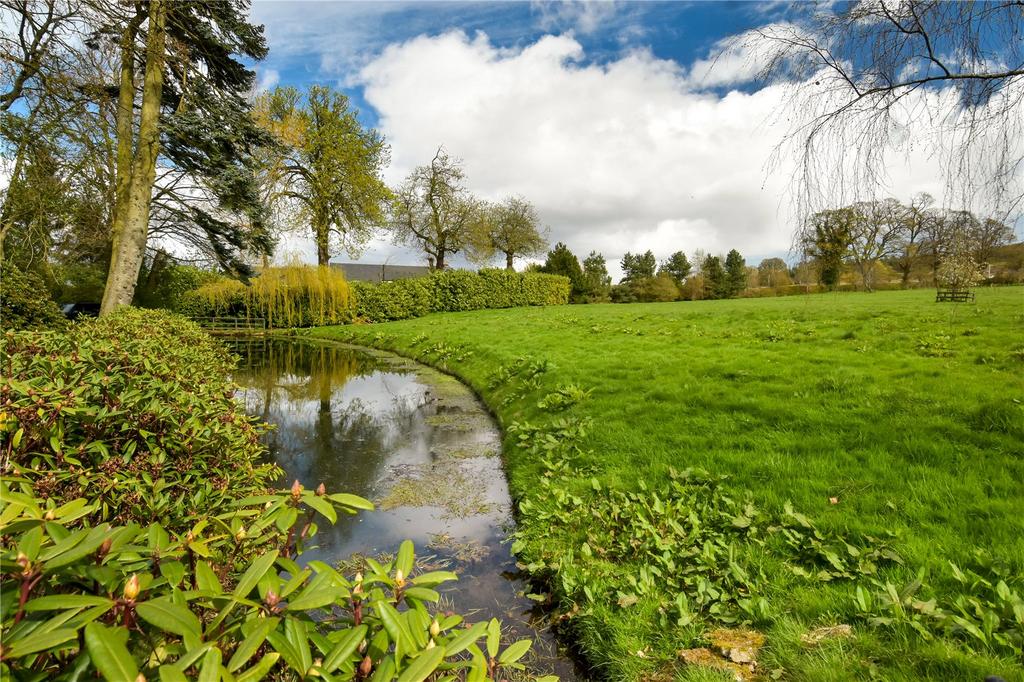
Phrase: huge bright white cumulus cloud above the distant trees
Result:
[625,156]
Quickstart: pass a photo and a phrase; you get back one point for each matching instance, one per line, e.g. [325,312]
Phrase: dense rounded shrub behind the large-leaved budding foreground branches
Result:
[134,413]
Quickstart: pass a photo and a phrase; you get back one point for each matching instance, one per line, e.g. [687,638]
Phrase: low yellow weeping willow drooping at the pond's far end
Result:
[284,296]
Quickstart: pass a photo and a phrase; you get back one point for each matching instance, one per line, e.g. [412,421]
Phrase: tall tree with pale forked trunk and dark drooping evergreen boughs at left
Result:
[184,79]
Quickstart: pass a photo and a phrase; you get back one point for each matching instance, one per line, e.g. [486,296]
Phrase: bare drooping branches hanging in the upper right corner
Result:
[864,78]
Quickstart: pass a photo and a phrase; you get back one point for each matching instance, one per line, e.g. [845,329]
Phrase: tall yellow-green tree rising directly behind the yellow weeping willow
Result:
[327,164]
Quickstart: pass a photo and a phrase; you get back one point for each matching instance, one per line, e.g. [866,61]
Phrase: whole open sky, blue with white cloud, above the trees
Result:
[619,121]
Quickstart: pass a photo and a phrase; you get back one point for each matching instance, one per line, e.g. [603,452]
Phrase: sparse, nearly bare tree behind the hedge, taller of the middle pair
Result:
[435,211]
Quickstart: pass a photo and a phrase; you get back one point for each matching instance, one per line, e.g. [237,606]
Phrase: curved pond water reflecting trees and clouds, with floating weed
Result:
[421,447]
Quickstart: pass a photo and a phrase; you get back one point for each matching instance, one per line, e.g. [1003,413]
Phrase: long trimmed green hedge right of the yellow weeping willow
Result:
[453,291]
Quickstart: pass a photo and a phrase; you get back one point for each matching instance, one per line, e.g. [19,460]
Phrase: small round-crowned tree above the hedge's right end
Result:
[511,229]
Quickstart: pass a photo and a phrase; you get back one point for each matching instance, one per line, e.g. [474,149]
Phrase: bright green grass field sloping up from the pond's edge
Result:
[886,418]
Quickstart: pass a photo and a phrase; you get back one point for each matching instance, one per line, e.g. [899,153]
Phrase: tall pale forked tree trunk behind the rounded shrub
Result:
[135,185]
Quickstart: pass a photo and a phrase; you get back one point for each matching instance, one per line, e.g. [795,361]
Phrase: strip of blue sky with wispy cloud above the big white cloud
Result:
[327,42]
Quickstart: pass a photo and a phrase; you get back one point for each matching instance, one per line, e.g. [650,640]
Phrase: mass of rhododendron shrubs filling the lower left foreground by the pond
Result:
[201,579]
